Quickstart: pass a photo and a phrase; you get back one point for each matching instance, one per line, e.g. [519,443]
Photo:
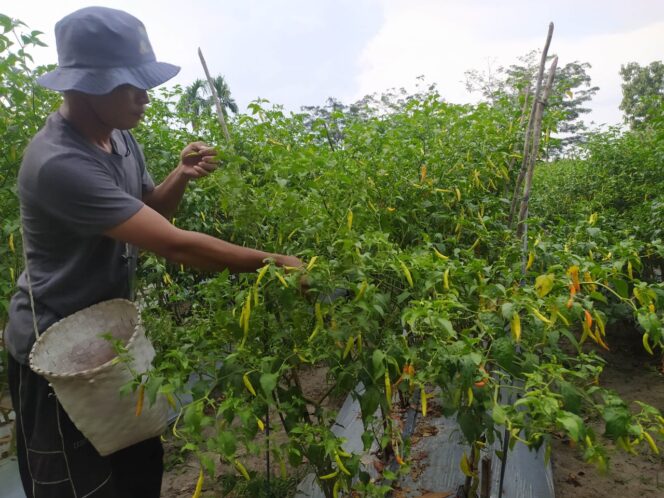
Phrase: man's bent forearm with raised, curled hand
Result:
[196,160]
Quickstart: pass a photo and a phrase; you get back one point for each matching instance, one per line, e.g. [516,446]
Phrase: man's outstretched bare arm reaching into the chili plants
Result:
[148,230]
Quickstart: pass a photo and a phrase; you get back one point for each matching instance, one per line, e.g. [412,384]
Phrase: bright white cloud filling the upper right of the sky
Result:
[442,40]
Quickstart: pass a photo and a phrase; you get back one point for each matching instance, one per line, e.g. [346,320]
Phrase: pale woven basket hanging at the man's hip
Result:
[82,368]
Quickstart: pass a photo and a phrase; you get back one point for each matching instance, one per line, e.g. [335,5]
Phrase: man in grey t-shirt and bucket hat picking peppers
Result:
[86,198]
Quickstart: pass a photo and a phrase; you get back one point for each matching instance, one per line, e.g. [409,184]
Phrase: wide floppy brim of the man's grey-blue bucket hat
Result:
[100,81]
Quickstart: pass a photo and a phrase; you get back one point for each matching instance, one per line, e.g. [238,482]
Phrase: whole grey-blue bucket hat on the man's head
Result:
[100,49]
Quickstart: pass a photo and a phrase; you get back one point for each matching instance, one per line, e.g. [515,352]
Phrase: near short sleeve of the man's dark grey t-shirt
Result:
[80,192]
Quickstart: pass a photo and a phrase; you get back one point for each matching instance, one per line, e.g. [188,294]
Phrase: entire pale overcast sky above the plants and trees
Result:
[299,52]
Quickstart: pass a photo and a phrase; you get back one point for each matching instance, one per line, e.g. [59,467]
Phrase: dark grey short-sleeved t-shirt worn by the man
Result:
[71,192]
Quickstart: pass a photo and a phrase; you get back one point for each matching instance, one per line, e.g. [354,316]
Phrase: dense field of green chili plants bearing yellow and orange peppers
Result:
[420,286]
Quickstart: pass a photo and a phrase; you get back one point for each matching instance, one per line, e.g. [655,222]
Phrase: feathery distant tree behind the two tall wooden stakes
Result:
[571,92]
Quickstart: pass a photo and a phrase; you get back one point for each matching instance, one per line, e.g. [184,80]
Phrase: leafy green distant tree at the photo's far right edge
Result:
[643,91]
